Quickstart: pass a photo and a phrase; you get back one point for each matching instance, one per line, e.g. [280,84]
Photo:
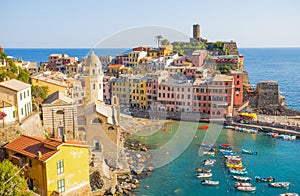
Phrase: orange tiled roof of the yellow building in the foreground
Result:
[30,145]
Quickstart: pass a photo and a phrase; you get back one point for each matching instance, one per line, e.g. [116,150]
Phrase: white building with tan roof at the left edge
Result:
[18,94]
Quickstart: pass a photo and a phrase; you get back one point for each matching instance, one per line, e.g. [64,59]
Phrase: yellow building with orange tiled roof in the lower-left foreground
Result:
[52,167]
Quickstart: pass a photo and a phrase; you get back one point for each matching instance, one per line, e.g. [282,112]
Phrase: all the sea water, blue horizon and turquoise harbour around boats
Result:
[177,176]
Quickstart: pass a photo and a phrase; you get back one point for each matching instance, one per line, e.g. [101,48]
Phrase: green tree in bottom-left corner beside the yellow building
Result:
[11,183]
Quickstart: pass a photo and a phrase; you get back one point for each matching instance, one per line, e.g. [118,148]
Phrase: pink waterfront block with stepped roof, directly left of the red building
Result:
[214,96]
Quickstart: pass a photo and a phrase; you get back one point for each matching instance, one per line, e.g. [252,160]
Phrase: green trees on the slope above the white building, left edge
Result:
[11,71]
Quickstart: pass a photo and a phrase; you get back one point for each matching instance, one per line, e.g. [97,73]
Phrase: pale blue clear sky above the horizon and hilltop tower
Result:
[120,23]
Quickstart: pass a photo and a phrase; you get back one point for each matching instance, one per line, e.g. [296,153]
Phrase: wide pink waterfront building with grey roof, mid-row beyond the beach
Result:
[176,94]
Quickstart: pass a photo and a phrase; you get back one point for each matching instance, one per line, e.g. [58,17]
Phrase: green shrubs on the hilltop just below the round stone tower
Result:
[185,48]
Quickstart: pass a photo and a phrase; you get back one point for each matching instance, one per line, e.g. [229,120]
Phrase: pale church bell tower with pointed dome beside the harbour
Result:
[93,76]
